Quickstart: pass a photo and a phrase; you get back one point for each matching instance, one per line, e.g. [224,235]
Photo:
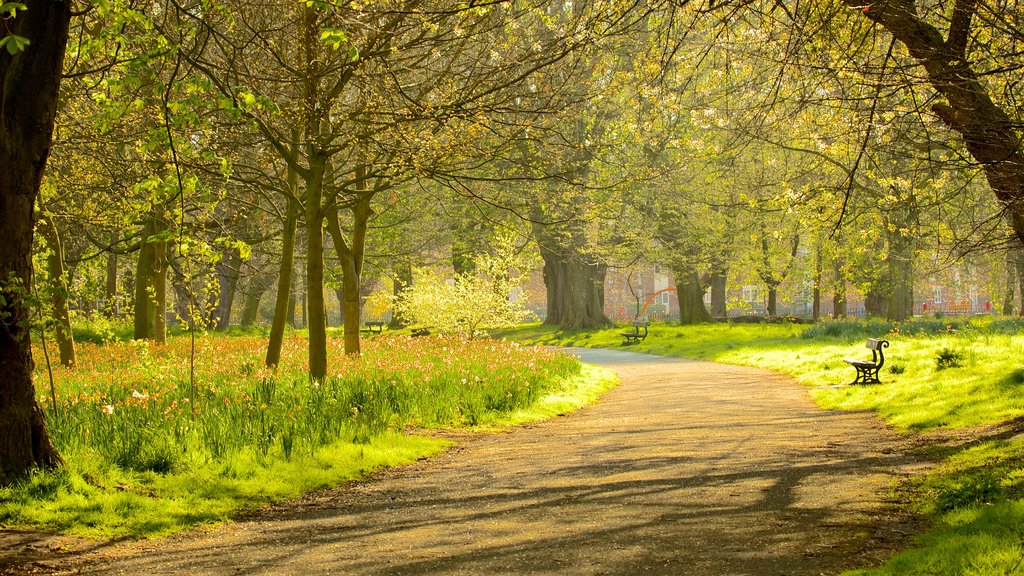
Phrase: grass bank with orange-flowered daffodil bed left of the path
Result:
[151,451]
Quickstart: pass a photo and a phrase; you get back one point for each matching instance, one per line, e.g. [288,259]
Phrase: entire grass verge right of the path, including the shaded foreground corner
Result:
[975,498]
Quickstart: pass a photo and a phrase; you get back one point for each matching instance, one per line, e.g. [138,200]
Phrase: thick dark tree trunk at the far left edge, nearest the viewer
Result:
[30,83]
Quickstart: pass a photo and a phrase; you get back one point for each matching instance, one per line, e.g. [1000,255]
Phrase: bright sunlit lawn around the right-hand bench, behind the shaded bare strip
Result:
[915,393]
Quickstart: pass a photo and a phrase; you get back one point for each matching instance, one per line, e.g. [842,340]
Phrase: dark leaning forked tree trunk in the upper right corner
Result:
[989,133]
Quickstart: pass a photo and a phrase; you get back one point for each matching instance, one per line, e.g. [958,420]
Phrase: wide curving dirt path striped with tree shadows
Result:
[688,468]
